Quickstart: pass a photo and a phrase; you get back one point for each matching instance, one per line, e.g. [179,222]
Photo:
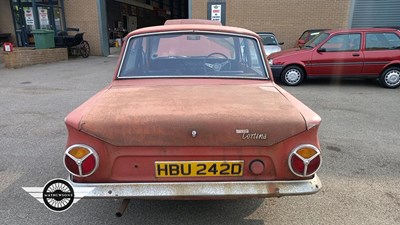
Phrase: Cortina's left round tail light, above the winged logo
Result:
[81,160]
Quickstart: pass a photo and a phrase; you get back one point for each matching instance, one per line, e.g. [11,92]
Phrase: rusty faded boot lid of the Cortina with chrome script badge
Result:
[167,115]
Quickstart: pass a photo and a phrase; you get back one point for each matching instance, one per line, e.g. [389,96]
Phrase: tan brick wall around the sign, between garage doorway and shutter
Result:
[287,19]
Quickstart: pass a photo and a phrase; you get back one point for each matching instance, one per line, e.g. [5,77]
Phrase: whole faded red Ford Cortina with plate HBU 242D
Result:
[190,115]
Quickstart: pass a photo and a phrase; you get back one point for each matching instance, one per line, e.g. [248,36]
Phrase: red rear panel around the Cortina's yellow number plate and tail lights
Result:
[136,164]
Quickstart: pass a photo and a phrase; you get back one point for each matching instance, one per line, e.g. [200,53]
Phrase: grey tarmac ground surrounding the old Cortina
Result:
[359,138]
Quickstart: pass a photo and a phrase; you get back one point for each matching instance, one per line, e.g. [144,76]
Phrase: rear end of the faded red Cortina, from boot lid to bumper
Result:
[189,150]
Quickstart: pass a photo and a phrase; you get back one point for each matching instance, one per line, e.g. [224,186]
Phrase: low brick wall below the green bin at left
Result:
[21,57]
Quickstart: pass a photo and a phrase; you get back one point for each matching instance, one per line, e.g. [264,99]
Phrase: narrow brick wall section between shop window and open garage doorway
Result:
[84,15]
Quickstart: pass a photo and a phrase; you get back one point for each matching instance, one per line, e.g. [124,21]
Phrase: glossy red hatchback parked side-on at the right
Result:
[361,53]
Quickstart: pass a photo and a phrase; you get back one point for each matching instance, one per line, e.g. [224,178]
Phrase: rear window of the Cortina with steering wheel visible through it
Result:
[192,54]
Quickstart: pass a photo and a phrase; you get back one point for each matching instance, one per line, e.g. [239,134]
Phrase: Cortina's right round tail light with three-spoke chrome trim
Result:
[305,160]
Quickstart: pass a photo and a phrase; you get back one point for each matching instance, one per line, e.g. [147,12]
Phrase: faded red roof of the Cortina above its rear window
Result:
[190,25]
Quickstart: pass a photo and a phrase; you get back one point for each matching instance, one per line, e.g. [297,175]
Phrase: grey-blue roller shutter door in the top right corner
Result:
[376,13]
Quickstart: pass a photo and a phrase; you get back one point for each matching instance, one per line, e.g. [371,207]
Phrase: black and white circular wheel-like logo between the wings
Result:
[58,195]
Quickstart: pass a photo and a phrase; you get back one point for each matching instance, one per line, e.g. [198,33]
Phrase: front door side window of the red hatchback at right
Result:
[343,42]
